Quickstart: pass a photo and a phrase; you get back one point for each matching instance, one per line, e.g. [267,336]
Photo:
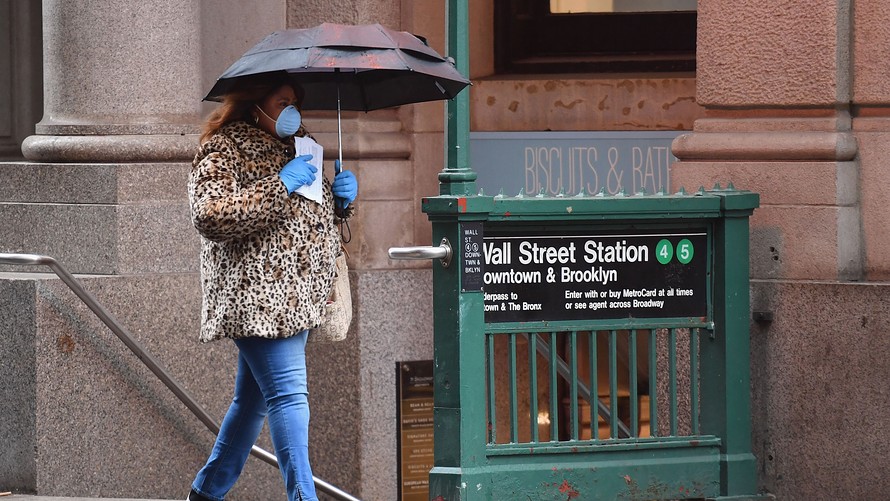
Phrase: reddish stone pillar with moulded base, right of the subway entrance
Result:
[775,81]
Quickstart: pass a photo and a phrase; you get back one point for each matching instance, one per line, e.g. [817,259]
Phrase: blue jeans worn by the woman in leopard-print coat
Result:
[271,381]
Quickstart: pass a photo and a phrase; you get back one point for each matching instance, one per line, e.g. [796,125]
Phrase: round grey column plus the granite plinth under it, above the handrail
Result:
[104,188]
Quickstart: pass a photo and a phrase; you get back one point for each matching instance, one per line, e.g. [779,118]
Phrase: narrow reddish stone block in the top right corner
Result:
[871,37]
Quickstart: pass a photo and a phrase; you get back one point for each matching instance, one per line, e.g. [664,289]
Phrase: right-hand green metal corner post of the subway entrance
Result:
[726,392]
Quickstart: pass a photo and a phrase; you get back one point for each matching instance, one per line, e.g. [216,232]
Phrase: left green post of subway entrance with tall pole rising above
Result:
[460,434]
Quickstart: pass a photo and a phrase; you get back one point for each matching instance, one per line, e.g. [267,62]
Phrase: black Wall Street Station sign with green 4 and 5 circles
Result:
[641,274]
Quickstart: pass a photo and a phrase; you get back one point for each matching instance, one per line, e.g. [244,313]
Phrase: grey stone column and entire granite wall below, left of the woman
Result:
[104,192]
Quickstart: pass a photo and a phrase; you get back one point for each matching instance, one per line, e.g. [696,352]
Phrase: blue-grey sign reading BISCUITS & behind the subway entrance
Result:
[572,162]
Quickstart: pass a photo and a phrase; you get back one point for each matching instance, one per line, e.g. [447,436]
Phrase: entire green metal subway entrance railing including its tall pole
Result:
[485,380]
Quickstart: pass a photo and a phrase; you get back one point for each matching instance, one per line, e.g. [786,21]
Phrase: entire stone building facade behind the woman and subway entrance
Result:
[98,124]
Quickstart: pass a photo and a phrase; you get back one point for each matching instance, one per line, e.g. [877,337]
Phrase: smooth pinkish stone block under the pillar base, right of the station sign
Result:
[805,243]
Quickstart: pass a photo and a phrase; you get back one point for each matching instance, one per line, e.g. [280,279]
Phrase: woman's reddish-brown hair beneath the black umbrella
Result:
[238,102]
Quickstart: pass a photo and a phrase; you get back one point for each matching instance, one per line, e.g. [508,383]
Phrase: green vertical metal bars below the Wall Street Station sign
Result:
[592,387]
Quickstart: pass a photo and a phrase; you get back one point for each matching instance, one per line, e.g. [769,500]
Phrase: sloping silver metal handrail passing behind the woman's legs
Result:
[149,361]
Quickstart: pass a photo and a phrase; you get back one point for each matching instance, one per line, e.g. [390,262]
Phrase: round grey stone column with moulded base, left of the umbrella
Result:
[121,82]
